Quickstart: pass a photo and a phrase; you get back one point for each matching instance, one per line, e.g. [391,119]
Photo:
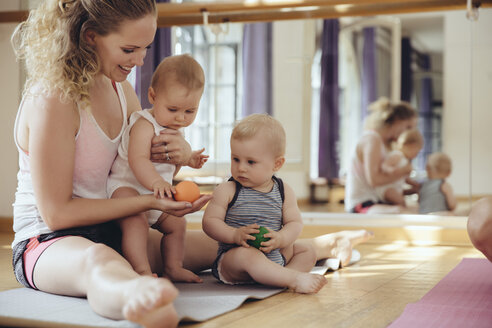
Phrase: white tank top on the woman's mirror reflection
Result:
[357,188]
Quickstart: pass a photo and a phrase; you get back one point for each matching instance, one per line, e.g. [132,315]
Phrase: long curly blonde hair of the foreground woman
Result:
[52,42]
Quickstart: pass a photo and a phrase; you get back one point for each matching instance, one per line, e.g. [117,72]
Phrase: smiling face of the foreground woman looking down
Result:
[119,52]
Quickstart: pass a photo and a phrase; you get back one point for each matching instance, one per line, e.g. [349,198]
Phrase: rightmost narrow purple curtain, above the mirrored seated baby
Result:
[425,109]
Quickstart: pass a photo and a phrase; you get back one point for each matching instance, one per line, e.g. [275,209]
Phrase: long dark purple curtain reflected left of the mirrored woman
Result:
[328,159]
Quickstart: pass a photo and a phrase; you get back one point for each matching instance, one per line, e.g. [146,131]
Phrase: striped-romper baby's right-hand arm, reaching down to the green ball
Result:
[292,224]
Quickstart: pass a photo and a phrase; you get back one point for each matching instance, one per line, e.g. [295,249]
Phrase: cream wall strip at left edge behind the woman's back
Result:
[9,94]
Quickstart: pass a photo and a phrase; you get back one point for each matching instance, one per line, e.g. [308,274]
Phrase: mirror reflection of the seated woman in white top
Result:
[383,126]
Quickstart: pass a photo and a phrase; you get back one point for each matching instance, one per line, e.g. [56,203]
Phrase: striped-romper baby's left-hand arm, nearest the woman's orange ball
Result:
[213,219]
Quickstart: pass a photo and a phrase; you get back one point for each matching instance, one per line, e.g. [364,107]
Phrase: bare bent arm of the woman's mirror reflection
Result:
[370,152]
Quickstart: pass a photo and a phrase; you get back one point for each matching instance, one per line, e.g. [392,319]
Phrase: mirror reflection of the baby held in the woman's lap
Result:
[408,146]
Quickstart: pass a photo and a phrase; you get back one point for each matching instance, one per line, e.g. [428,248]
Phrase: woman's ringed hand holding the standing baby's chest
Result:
[170,147]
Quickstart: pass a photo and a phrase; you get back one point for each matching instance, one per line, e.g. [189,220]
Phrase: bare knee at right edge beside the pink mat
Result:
[480,226]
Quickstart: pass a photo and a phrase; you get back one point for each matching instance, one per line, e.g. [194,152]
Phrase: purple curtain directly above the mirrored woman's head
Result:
[369,70]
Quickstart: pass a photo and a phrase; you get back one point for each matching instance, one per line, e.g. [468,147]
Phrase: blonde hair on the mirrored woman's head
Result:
[385,113]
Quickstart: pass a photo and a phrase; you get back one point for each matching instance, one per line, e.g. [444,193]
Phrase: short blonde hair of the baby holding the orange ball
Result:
[182,69]
